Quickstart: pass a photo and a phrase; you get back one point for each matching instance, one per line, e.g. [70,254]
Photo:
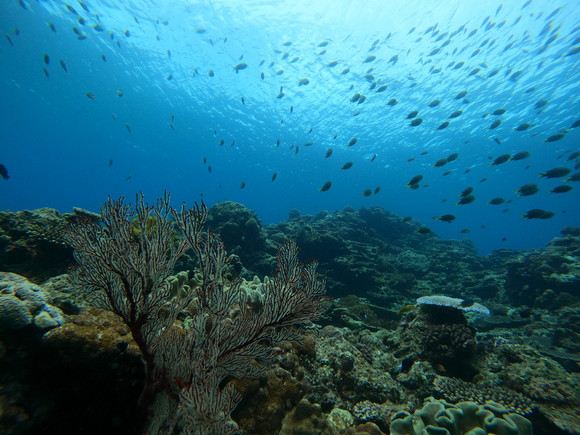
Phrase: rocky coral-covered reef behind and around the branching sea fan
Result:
[378,350]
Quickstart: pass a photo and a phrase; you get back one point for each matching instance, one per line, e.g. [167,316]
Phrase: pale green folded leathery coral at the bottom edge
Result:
[464,418]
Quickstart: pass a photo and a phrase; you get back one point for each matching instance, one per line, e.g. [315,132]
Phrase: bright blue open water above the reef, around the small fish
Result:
[63,149]
